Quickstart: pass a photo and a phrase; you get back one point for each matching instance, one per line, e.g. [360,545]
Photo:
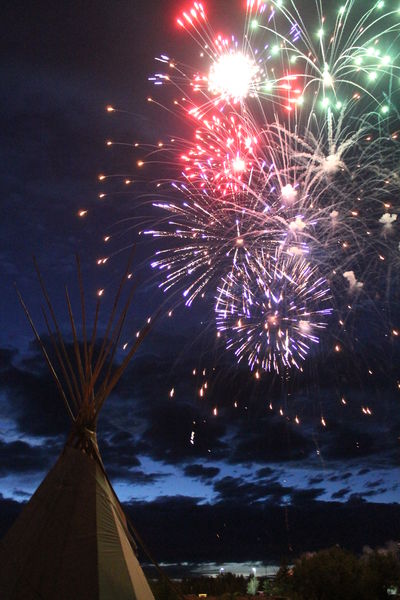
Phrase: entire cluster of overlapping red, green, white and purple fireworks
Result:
[284,206]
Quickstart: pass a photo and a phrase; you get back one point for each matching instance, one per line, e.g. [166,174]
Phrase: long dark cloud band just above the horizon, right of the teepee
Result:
[226,532]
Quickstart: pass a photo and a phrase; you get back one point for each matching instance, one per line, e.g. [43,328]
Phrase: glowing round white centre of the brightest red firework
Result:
[232,76]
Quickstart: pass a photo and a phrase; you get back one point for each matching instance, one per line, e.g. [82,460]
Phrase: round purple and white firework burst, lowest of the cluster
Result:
[272,310]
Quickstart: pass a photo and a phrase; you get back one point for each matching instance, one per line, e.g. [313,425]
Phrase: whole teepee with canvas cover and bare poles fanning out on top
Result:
[72,540]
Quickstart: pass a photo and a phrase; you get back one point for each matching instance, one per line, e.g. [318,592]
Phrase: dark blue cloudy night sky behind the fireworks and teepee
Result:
[245,484]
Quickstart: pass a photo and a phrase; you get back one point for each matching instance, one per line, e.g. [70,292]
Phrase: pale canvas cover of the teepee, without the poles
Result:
[71,540]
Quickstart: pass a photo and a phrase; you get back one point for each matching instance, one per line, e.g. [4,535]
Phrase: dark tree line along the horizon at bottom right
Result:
[330,574]
